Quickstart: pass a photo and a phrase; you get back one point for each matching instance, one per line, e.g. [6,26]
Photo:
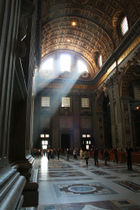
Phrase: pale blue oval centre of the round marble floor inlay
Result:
[82,189]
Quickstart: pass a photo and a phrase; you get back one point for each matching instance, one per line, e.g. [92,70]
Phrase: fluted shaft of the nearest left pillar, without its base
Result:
[8,35]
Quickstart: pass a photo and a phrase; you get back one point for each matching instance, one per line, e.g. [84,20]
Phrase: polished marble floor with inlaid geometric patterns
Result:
[70,185]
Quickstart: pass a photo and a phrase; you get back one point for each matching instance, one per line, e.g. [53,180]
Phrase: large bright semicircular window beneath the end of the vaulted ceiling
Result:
[58,63]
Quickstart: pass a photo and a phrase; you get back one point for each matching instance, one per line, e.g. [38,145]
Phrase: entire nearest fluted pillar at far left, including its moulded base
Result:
[12,184]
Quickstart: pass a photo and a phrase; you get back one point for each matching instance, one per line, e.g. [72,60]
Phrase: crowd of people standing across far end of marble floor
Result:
[95,153]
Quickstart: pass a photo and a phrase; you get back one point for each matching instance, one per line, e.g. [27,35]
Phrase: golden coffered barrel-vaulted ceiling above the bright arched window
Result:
[95,31]
